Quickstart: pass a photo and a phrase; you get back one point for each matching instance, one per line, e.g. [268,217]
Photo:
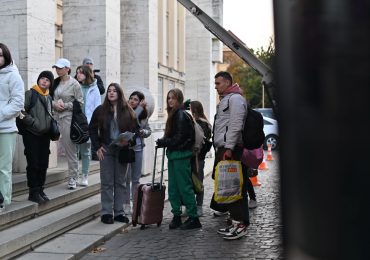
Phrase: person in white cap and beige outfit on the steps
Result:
[66,89]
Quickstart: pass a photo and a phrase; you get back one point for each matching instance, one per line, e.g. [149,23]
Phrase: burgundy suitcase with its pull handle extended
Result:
[149,200]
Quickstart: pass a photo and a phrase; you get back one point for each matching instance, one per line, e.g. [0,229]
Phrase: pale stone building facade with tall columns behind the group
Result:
[150,45]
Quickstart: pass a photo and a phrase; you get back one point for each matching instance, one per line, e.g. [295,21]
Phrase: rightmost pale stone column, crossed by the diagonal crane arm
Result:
[203,51]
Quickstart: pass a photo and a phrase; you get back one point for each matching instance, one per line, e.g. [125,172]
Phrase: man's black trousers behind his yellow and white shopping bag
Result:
[238,210]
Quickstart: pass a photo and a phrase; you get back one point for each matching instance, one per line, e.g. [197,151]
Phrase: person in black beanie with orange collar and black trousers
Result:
[36,138]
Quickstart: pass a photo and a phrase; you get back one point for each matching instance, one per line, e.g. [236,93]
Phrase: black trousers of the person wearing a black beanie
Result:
[36,149]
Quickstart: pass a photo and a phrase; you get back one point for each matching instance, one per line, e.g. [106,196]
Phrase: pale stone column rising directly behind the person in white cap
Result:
[92,29]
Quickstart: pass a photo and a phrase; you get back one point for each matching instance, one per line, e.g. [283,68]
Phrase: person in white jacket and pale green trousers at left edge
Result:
[11,103]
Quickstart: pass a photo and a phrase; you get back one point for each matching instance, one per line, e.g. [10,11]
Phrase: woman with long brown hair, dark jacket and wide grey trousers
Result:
[110,119]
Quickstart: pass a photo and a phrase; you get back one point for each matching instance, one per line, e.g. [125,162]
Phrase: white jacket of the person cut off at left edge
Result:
[11,98]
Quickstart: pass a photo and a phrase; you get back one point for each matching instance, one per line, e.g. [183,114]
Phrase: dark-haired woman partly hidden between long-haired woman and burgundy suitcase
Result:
[138,104]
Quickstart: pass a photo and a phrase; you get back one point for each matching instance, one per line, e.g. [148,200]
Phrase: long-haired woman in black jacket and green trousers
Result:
[179,139]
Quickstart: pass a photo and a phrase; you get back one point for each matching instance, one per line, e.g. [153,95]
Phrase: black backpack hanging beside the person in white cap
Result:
[79,126]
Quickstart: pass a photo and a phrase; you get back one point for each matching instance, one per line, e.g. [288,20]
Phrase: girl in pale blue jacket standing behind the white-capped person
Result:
[92,100]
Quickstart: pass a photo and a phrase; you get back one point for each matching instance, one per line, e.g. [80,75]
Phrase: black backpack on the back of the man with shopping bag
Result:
[253,135]
